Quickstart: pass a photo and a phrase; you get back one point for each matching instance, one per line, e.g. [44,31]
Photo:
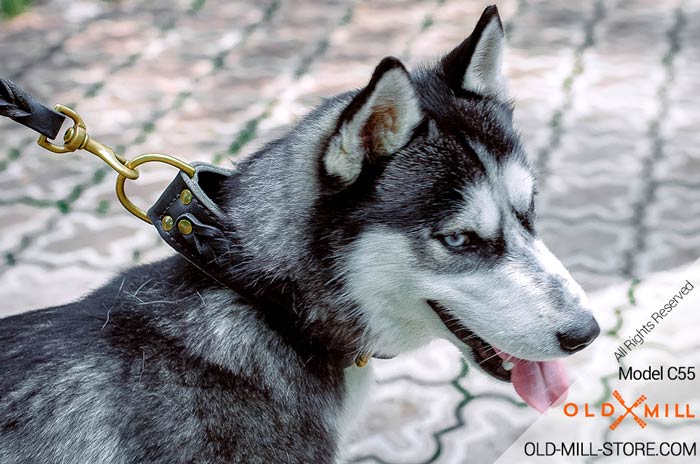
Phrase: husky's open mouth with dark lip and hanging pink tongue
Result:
[540,383]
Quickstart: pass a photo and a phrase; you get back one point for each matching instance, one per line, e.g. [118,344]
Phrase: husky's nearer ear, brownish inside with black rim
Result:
[378,122]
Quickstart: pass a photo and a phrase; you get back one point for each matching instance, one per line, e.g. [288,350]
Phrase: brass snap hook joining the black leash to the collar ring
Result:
[77,138]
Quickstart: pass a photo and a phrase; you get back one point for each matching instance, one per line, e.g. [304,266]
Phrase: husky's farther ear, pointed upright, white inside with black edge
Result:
[475,65]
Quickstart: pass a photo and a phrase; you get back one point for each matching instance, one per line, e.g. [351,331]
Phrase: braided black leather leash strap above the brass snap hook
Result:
[21,107]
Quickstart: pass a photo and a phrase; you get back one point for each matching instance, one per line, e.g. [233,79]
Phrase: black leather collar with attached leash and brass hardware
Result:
[186,215]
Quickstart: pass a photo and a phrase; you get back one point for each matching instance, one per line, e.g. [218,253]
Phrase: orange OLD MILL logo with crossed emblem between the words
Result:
[638,410]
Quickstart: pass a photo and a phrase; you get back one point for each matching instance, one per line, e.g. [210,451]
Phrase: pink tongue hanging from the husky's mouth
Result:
[539,383]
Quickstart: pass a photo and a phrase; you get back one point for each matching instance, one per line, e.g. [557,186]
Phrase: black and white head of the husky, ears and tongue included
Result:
[427,178]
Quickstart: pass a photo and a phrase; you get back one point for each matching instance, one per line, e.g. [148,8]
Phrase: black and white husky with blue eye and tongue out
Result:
[388,217]
